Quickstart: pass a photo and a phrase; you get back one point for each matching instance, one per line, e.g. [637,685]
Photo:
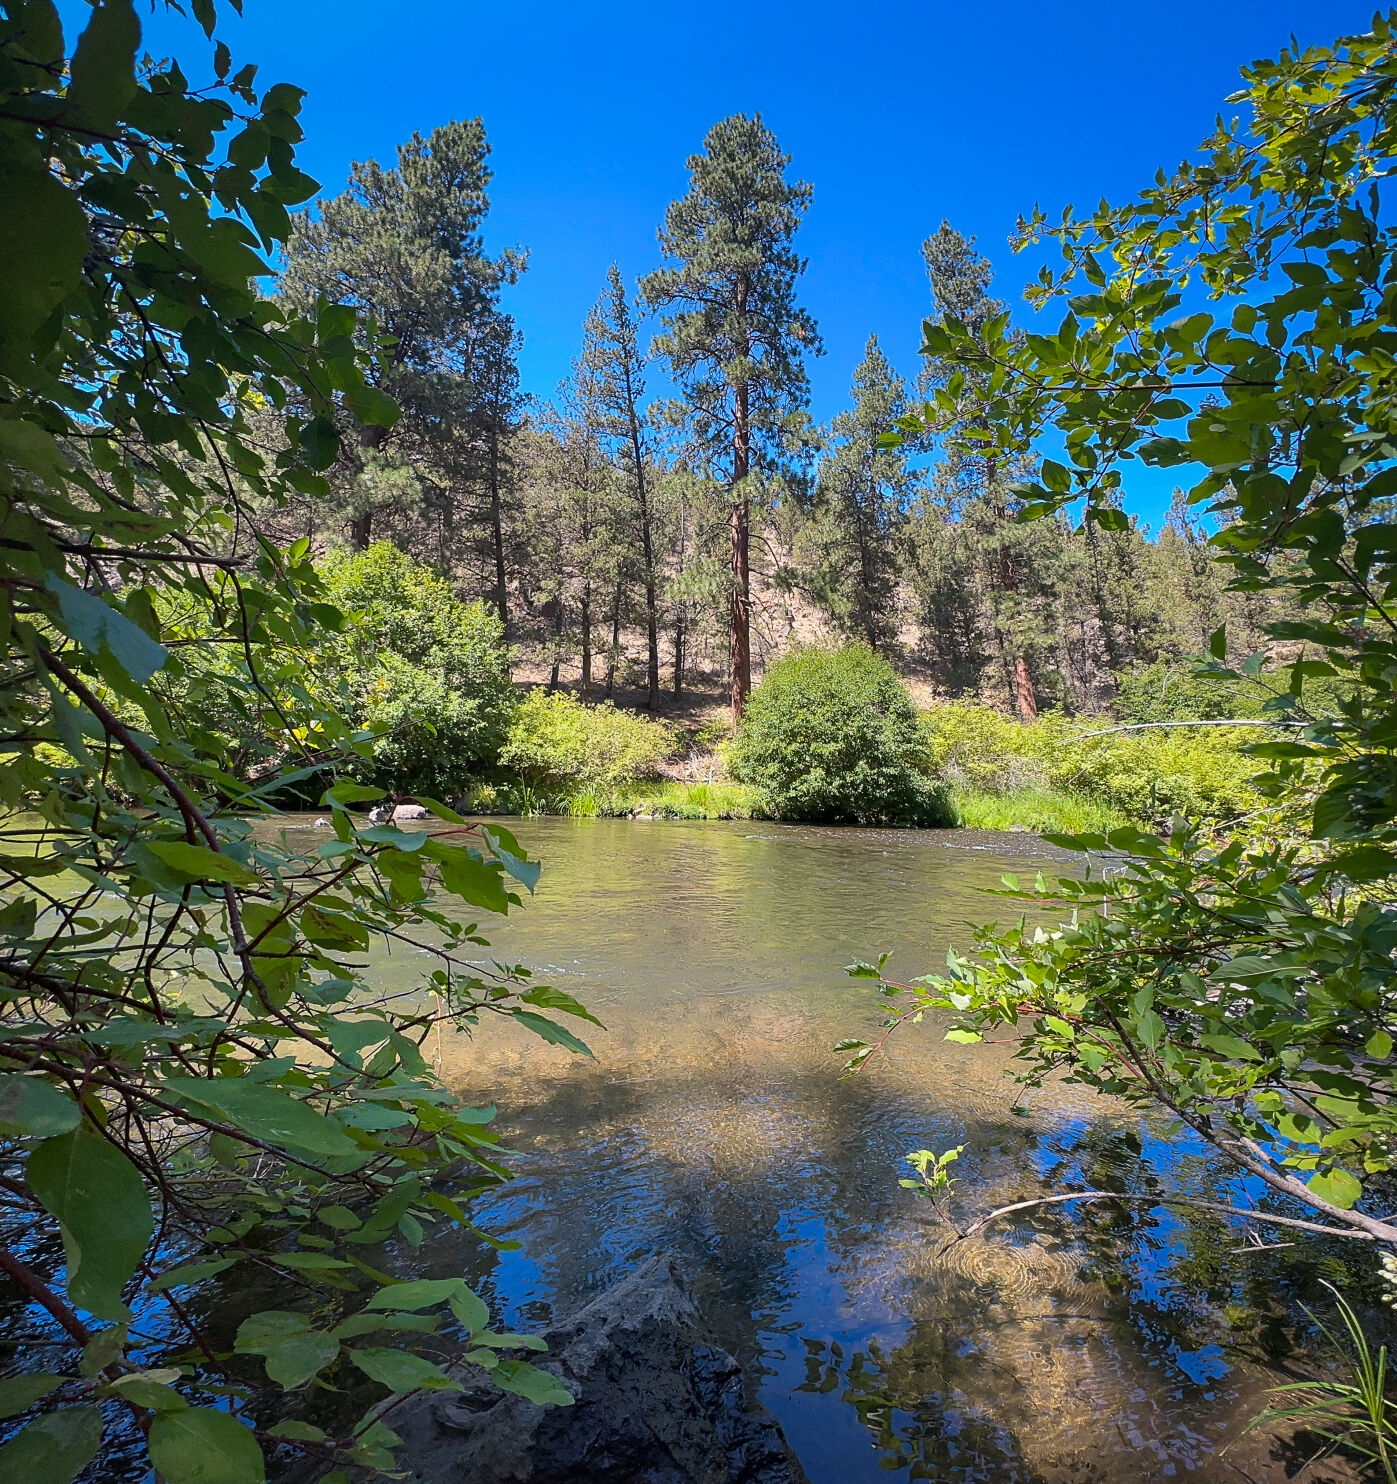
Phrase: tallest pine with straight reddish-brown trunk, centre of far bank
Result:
[734,335]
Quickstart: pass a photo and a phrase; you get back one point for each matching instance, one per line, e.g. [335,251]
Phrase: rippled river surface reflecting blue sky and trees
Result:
[1108,1345]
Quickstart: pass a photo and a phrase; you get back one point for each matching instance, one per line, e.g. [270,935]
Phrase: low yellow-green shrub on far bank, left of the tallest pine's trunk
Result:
[557,743]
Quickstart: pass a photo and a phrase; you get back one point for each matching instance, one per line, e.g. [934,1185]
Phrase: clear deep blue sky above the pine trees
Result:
[897,114]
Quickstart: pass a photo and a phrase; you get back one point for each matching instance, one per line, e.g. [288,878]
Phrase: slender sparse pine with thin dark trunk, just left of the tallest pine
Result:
[617,361]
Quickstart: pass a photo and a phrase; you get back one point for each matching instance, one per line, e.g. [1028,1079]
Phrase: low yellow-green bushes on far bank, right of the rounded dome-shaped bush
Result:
[1147,777]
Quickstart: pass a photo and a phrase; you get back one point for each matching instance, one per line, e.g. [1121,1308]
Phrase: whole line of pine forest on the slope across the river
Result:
[673,513]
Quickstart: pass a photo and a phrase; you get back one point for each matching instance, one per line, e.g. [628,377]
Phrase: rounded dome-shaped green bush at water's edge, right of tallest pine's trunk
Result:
[832,735]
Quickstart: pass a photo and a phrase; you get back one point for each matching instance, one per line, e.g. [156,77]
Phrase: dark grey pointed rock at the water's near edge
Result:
[655,1405]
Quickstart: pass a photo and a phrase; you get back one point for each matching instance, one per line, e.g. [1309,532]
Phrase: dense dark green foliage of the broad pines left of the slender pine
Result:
[405,247]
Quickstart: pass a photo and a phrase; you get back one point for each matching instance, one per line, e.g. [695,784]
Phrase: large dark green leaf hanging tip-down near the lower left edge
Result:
[100,1203]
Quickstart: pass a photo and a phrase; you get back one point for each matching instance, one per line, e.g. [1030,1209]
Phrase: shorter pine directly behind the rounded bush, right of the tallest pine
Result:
[860,508]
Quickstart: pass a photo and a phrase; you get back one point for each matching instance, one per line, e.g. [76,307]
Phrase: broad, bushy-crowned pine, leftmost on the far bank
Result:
[405,249]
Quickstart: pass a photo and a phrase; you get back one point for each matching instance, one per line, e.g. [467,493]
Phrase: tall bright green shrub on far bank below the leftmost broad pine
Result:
[424,670]
